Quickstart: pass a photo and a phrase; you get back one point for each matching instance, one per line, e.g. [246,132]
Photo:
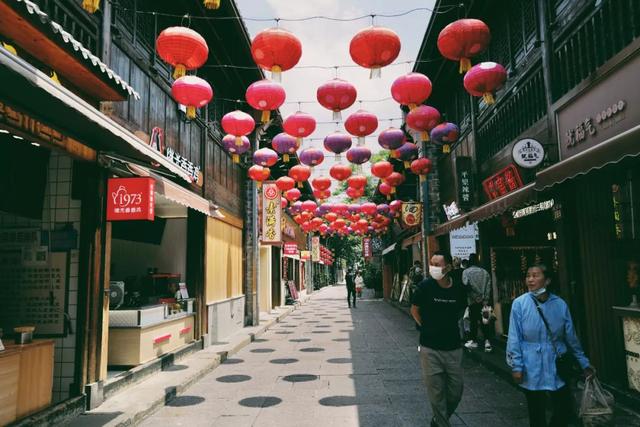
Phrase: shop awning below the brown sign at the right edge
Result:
[613,150]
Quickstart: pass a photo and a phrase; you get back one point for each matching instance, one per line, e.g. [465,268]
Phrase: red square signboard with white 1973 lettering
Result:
[130,199]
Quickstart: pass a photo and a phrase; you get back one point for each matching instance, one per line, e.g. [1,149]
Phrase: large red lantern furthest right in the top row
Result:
[463,39]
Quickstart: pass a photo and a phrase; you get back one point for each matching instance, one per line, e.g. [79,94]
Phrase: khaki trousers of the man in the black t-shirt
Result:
[442,374]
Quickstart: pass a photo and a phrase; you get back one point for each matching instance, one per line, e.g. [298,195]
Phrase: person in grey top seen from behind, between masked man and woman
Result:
[478,283]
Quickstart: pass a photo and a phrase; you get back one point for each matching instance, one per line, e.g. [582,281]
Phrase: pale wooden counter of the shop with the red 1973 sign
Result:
[137,344]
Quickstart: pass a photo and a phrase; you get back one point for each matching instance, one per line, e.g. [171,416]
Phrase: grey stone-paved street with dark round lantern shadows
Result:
[328,365]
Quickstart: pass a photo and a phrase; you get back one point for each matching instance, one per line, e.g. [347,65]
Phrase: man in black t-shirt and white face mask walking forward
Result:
[437,306]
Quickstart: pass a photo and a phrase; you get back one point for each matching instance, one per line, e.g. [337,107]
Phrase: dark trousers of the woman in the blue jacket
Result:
[561,406]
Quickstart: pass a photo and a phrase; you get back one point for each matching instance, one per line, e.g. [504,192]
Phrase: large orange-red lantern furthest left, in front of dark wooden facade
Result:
[183,48]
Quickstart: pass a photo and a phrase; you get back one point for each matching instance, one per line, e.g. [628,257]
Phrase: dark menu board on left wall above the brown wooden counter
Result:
[33,290]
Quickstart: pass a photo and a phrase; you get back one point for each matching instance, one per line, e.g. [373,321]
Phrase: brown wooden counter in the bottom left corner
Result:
[26,379]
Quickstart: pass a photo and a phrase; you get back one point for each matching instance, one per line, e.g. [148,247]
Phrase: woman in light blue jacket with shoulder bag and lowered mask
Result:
[531,353]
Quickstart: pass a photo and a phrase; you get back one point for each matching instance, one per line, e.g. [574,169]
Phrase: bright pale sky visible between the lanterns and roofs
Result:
[326,43]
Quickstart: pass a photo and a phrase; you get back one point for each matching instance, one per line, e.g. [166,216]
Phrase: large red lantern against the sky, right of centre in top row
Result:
[374,48]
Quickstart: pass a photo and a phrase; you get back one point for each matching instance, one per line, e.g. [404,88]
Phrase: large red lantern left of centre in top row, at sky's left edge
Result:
[276,50]
